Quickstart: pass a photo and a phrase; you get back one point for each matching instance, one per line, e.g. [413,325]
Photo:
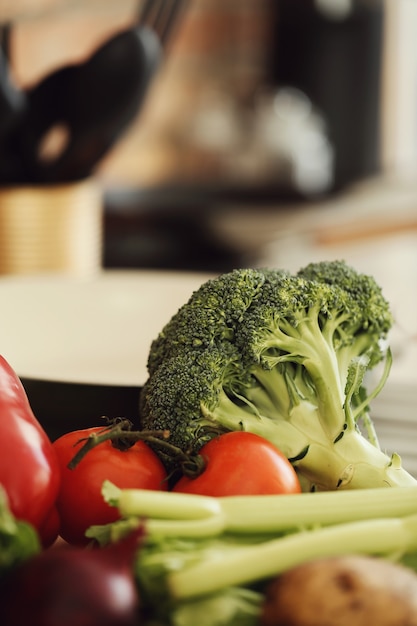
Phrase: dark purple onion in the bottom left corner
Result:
[72,586]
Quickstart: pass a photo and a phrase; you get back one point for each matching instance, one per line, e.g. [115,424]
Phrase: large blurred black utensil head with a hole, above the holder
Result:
[86,107]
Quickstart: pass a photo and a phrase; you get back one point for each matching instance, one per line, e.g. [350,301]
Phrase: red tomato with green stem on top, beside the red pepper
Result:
[80,503]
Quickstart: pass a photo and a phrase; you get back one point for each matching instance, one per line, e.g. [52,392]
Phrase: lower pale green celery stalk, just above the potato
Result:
[251,564]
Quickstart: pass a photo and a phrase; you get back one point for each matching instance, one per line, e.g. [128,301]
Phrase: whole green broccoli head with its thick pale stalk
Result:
[283,356]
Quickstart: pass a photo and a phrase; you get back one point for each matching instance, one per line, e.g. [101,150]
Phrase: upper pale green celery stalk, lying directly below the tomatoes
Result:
[170,513]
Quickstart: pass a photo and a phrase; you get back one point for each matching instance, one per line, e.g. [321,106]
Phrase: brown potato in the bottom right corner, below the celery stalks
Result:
[342,591]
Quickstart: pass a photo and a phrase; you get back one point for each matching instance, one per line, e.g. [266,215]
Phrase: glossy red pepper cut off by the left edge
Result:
[29,469]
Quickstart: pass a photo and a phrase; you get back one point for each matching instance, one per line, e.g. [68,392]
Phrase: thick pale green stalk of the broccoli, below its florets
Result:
[348,462]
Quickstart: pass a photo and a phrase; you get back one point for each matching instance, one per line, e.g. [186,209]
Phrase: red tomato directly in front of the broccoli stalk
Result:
[241,463]
